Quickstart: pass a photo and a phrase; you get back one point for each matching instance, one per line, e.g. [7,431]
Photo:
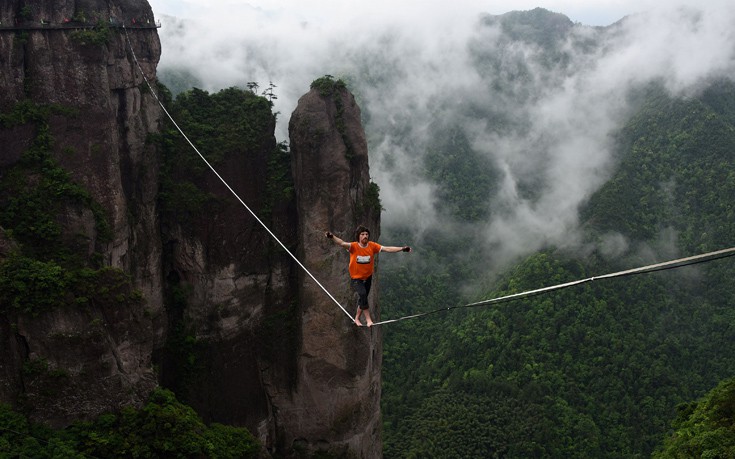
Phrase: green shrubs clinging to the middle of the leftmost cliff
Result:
[49,265]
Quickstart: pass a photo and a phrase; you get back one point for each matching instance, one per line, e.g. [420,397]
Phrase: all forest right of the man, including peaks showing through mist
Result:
[597,370]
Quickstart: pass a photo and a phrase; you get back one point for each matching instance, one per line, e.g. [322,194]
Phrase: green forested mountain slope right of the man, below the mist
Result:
[595,370]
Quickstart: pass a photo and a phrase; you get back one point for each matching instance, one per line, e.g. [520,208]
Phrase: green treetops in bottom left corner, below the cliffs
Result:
[163,427]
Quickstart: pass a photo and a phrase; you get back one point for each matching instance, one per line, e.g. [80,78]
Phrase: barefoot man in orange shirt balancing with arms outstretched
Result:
[362,264]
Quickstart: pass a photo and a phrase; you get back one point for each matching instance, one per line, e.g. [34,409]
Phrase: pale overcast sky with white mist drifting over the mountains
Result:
[424,48]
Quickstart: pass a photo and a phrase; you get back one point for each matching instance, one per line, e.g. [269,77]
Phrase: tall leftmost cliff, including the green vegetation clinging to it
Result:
[73,143]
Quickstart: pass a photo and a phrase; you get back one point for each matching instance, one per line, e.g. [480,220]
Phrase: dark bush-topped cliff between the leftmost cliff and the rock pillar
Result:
[231,289]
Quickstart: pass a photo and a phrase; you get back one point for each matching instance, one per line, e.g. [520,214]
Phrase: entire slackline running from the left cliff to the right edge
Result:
[710,256]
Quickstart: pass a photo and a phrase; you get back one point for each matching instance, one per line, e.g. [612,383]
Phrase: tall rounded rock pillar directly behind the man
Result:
[336,402]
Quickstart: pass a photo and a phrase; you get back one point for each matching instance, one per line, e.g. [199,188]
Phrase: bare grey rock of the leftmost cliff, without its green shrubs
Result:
[95,358]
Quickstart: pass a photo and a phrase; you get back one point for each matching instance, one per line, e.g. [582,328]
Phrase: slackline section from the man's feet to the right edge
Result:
[678,263]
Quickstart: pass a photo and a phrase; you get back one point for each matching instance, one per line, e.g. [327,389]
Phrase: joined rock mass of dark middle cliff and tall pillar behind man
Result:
[266,347]
